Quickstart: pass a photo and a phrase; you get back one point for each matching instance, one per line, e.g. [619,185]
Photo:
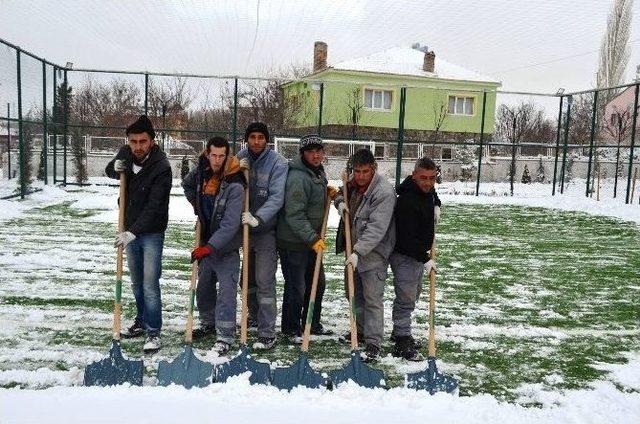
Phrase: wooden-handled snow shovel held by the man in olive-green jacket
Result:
[300,372]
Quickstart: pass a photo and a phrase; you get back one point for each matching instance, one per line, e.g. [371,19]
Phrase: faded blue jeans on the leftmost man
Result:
[144,257]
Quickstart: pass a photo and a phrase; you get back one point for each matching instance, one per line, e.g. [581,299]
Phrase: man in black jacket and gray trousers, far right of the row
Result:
[417,212]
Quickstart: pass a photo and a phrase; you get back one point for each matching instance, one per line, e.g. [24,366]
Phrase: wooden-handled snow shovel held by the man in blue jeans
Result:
[116,369]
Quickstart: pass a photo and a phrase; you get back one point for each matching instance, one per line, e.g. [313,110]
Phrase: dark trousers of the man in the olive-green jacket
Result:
[297,269]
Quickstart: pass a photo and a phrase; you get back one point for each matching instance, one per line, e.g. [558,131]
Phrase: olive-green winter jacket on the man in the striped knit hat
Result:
[300,220]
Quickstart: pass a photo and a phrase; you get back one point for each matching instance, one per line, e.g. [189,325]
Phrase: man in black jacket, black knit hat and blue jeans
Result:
[148,176]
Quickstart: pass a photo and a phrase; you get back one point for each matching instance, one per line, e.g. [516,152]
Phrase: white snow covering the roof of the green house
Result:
[408,61]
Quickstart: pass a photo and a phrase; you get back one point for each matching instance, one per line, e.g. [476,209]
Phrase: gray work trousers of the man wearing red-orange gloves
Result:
[219,307]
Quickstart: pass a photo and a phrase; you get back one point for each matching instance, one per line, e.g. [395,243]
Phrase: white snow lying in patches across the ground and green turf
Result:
[615,399]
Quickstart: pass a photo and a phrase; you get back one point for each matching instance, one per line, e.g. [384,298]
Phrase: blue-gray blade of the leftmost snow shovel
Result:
[113,370]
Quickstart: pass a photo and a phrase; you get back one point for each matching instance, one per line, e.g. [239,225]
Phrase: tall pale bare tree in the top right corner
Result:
[614,49]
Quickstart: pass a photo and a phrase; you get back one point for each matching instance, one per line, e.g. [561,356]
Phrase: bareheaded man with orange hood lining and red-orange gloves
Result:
[215,188]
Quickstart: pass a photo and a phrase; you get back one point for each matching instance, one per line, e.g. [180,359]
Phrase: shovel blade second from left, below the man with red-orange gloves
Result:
[186,370]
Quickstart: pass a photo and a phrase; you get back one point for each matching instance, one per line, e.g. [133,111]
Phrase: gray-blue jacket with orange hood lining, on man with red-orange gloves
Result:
[224,221]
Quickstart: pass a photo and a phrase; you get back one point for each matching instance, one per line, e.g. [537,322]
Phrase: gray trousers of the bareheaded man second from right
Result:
[369,303]
